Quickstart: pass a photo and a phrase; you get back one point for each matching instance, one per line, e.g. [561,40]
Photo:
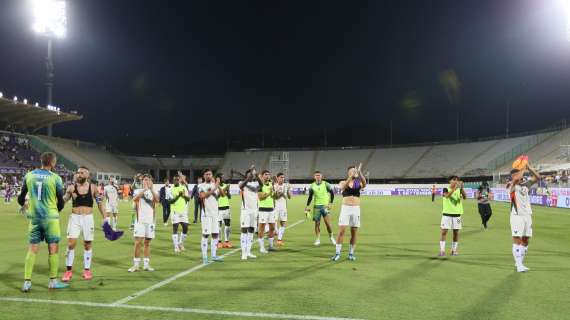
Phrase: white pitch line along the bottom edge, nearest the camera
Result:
[180,310]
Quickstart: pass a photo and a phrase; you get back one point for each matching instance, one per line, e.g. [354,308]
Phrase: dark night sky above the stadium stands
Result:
[181,76]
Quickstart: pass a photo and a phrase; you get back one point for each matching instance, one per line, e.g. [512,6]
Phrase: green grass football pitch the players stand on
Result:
[397,274]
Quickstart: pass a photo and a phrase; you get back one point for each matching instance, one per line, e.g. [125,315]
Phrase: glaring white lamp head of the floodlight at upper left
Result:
[50,17]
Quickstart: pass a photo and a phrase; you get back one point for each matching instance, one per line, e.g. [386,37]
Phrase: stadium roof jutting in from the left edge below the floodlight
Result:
[19,115]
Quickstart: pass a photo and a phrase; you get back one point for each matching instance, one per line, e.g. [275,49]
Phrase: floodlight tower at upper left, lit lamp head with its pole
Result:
[50,21]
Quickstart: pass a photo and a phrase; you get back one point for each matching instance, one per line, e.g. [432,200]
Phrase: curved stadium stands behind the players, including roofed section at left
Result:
[482,158]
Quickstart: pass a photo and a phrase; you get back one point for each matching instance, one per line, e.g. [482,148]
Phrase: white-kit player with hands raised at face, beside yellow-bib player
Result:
[248,216]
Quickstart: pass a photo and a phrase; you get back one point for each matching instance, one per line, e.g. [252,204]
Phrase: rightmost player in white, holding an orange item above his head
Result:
[521,214]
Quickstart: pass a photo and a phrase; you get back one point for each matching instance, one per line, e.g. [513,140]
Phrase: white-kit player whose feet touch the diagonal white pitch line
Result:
[208,191]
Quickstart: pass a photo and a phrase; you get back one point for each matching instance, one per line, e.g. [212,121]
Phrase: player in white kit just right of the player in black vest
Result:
[145,222]
